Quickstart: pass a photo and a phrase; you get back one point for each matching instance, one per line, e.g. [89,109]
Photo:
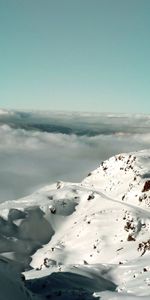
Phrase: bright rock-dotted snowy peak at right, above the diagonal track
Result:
[124,177]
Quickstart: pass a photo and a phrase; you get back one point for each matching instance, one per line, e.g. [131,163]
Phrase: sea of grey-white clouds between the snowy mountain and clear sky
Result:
[38,148]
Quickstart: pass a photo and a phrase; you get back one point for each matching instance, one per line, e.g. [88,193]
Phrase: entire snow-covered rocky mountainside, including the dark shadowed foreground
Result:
[81,241]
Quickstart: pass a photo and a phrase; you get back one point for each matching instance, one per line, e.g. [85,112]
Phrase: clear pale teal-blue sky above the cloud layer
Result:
[82,55]
